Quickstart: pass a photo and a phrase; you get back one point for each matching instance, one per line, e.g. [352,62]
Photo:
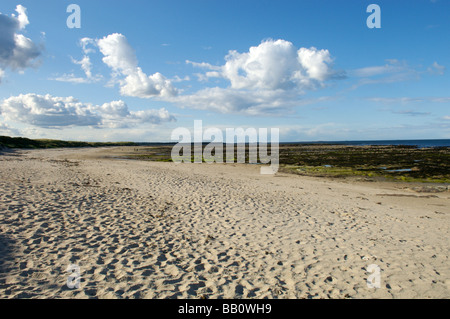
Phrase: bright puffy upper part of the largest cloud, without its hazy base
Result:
[273,65]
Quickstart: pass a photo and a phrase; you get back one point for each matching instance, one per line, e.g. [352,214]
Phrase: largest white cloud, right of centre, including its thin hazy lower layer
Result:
[267,78]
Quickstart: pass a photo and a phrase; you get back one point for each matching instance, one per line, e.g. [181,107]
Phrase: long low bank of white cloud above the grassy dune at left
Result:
[50,111]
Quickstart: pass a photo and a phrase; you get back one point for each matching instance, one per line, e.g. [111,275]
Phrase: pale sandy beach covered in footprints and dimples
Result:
[143,229]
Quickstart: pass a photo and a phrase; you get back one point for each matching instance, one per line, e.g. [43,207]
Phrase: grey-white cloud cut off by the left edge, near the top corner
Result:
[17,52]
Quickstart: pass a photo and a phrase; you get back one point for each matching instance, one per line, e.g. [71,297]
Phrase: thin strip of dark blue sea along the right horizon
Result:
[418,143]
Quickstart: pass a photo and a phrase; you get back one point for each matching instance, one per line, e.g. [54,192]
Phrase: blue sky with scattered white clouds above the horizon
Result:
[137,70]
